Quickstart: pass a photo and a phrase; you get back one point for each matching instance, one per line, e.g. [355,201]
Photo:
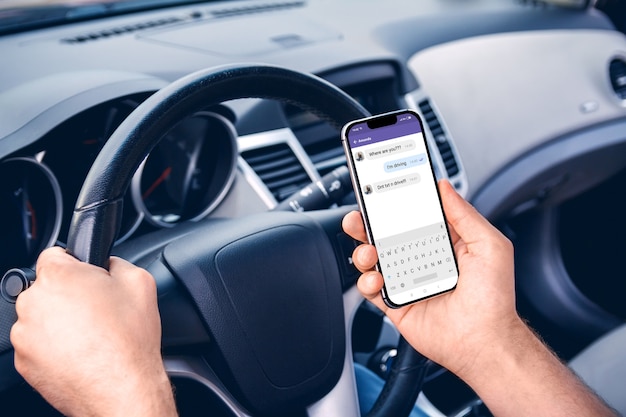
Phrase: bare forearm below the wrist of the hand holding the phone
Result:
[519,376]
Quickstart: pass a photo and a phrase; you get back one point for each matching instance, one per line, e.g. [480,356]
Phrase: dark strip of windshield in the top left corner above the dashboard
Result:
[18,15]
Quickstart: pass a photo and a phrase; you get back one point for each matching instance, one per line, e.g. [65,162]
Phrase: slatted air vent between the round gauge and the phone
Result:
[279,168]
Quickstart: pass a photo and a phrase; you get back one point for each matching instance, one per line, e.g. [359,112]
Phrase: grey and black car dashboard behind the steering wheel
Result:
[524,104]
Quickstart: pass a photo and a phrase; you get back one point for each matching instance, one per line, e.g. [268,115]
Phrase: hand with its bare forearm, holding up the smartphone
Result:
[475,330]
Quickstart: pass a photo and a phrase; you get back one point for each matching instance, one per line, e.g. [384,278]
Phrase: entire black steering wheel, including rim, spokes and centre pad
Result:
[263,303]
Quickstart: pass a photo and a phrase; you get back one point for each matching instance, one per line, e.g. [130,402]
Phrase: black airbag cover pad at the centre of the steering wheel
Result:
[270,294]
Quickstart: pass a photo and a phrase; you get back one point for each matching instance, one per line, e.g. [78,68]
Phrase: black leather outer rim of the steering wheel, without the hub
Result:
[98,211]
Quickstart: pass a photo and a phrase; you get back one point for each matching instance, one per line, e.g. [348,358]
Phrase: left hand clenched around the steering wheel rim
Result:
[89,340]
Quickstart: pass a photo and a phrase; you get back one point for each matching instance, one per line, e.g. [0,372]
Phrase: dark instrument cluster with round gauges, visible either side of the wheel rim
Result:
[183,178]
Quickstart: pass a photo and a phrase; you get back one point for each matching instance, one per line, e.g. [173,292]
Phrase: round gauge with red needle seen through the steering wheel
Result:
[188,173]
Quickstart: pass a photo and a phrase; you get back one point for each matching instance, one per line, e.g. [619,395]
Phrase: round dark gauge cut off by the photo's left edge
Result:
[30,211]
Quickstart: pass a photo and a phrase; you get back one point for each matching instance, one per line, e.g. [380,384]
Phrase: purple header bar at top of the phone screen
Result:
[361,135]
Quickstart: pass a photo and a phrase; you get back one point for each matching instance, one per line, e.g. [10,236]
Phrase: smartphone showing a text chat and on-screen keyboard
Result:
[396,189]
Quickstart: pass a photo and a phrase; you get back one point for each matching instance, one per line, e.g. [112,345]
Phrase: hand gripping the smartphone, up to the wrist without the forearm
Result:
[485,292]
